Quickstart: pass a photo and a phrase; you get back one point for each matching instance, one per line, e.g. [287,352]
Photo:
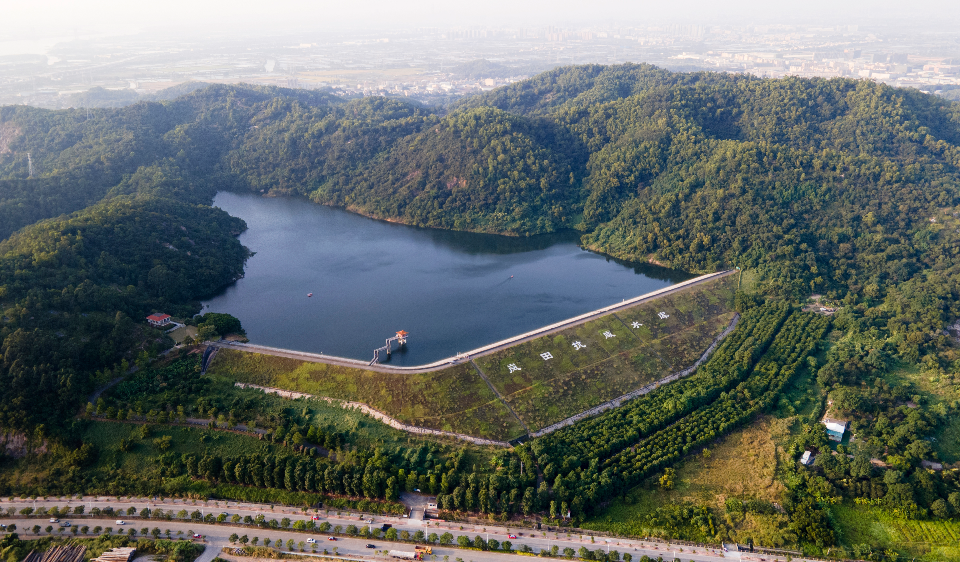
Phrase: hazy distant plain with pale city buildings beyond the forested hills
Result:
[436,64]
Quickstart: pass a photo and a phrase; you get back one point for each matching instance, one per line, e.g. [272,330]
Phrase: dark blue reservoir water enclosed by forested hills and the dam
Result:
[452,291]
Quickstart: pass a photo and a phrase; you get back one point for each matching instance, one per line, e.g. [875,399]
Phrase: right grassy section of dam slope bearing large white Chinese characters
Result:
[605,358]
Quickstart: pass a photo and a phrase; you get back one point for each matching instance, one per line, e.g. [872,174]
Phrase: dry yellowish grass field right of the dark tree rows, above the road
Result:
[741,466]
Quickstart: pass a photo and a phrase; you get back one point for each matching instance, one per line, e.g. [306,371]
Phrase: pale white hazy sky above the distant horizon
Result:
[55,17]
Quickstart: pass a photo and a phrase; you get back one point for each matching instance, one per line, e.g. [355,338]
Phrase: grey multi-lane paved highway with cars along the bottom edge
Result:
[217,535]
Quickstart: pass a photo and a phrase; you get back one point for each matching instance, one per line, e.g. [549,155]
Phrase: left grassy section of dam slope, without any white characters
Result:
[455,399]
